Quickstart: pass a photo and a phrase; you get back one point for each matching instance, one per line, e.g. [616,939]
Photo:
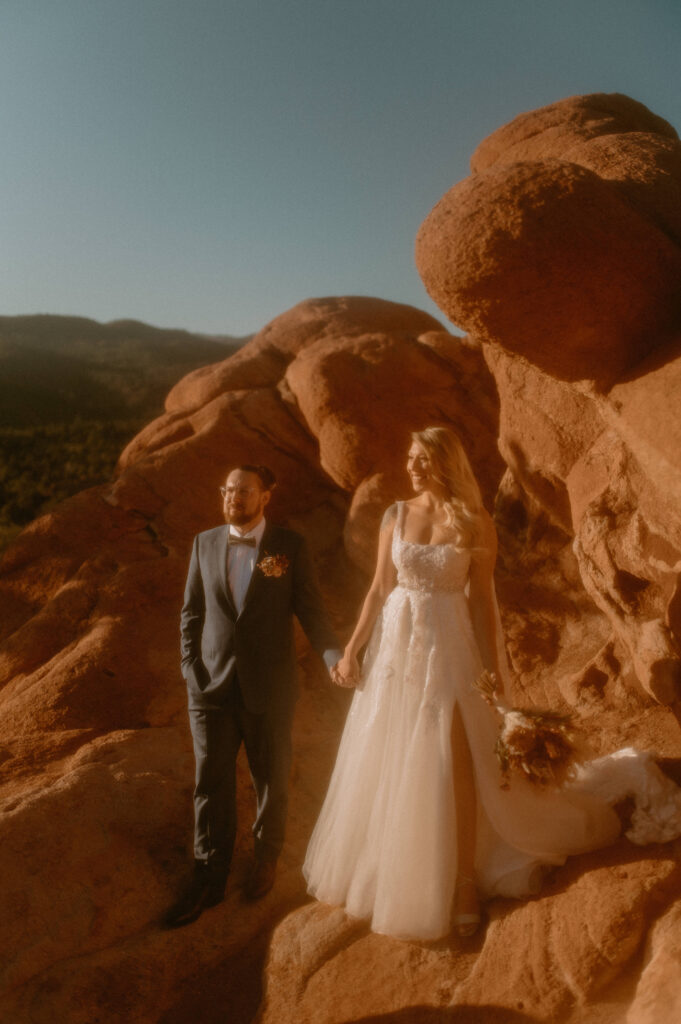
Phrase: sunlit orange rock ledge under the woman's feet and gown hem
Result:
[548,960]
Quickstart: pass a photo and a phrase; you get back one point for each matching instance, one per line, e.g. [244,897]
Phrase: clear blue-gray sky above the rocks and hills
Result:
[209,163]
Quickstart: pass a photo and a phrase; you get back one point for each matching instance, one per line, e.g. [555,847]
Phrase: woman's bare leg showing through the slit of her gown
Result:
[466,901]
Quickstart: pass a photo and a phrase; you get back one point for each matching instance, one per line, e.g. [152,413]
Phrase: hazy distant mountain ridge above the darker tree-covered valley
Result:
[56,369]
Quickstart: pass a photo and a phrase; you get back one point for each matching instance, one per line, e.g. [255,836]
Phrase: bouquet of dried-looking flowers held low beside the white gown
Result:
[540,745]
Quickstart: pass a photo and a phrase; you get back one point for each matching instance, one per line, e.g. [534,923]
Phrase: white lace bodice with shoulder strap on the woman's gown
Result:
[428,567]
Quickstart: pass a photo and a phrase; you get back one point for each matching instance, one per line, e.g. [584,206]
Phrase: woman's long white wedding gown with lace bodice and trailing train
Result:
[385,845]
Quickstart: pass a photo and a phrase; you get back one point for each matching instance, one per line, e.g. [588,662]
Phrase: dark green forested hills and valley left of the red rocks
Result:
[73,393]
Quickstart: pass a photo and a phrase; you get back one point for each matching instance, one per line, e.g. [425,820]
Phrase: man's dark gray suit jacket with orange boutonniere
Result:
[256,646]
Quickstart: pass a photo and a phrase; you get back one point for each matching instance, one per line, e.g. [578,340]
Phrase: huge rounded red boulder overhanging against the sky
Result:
[542,254]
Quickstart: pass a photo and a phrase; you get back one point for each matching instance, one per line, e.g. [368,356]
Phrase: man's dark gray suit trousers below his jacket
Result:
[218,735]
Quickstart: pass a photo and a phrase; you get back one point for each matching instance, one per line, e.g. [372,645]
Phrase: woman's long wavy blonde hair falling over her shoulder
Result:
[452,471]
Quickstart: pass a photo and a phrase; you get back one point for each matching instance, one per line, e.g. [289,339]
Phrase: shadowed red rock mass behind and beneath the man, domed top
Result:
[97,762]
